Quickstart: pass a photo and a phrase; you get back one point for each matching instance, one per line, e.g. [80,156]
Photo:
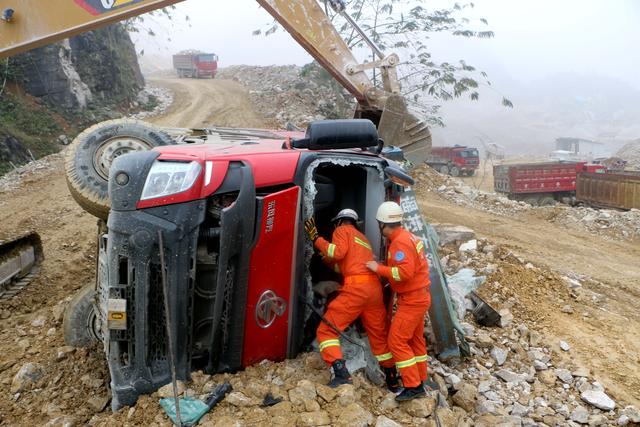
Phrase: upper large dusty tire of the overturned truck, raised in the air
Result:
[91,154]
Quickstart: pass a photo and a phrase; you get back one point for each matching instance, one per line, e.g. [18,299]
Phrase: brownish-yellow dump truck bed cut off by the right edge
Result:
[619,190]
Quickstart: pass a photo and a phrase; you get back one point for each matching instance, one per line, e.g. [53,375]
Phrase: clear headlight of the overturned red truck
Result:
[166,178]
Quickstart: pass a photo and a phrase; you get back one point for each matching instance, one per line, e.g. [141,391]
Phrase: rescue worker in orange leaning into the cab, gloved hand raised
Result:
[360,296]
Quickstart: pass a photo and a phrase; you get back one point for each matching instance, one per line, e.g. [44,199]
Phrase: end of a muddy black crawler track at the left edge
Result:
[20,260]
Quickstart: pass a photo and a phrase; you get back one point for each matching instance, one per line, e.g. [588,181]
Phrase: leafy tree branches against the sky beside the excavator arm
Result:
[405,27]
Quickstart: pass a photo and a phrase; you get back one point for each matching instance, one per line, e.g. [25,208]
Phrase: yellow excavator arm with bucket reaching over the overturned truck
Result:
[26,24]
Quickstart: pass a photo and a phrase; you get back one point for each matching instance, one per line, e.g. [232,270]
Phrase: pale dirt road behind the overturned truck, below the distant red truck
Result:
[206,102]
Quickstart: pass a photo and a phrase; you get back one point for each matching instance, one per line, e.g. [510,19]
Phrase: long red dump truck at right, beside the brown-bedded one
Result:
[541,184]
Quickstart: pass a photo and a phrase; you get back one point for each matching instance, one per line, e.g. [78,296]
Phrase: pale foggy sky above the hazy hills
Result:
[534,38]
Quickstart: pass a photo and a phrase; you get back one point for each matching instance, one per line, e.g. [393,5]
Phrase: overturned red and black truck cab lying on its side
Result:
[228,214]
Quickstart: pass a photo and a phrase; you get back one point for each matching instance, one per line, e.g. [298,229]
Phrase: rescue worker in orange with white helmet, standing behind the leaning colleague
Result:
[407,270]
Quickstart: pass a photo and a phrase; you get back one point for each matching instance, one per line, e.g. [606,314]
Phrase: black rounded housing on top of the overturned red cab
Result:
[339,134]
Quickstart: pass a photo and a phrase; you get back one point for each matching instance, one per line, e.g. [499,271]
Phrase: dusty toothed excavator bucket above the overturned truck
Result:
[399,127]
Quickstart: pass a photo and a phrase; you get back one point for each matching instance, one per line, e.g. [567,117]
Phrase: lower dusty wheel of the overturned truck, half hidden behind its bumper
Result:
[80,324]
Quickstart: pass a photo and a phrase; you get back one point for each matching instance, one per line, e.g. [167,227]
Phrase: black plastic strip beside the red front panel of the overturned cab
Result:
[237,237]
